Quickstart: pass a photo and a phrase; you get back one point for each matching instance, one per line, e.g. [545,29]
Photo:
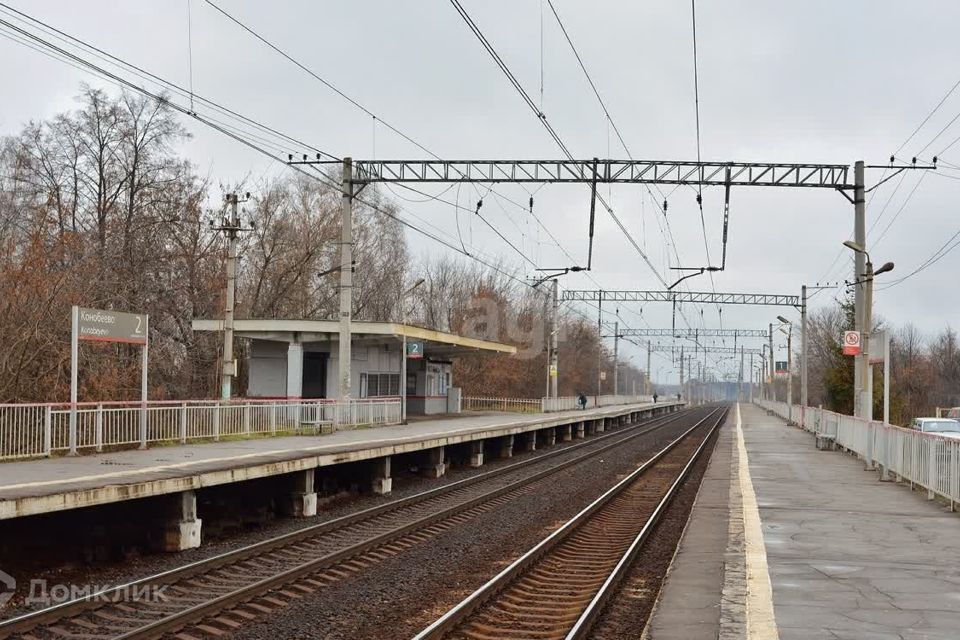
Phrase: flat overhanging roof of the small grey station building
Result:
[440,343]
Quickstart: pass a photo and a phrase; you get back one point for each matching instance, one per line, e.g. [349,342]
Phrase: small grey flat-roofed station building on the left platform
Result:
[299,359]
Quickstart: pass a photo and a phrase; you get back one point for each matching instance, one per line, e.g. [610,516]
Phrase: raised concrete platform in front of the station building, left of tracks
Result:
[55,484]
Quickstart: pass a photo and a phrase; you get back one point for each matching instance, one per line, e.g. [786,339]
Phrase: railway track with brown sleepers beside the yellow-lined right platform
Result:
[558,589]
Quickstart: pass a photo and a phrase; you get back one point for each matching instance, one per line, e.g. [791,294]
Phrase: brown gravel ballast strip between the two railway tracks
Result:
[399,596]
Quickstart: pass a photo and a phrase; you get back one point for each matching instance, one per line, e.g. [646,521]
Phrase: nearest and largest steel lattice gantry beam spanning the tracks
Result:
[596,171]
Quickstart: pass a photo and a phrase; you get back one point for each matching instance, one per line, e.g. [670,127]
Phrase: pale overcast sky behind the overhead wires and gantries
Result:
[821,81]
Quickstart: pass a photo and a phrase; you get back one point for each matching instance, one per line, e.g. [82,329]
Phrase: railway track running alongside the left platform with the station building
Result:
[217,595]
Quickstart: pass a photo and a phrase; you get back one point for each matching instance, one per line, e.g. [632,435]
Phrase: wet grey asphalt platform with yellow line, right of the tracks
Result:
[793,543]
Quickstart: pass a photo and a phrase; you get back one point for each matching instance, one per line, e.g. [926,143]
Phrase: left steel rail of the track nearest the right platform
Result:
[459,613]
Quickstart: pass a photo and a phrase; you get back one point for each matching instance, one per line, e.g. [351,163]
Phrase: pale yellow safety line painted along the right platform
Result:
[761,622]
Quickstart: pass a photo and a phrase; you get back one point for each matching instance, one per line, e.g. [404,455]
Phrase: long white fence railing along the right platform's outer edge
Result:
[927,460]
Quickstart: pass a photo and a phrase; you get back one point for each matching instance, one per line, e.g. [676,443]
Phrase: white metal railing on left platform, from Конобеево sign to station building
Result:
[32,430]
